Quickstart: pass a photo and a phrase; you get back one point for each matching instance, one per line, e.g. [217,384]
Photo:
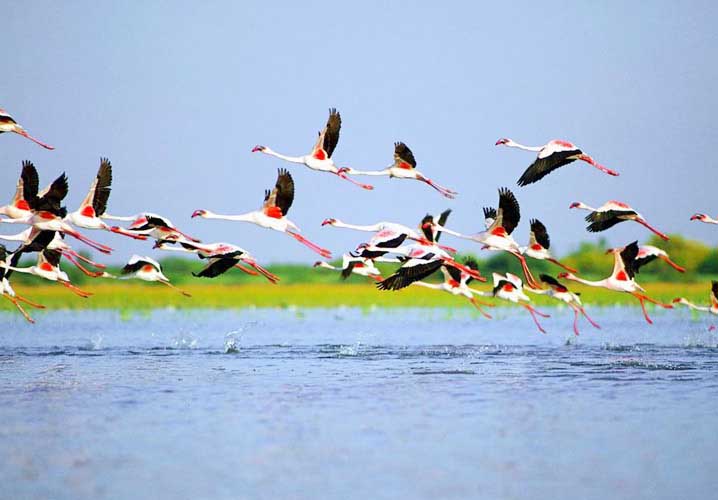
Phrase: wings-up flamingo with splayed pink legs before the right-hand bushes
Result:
[622,279]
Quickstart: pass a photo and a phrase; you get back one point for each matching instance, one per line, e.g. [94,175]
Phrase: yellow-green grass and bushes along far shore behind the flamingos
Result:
[304,286]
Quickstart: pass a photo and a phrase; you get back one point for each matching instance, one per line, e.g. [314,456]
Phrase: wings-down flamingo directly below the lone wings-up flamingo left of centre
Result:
[221,258]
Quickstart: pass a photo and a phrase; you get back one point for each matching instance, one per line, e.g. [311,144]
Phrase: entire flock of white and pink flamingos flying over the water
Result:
[417,251]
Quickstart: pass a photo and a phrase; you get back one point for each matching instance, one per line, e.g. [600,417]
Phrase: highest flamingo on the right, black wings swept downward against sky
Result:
[551,156]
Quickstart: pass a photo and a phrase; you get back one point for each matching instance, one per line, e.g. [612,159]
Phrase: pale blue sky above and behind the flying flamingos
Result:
[176,94]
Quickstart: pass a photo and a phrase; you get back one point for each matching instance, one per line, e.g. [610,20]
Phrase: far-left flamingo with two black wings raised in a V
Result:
[47,212]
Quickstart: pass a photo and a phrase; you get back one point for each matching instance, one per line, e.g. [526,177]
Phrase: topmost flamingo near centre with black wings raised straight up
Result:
[321,156]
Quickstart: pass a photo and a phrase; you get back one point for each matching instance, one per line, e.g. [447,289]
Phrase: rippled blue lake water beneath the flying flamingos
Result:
[352,404]
